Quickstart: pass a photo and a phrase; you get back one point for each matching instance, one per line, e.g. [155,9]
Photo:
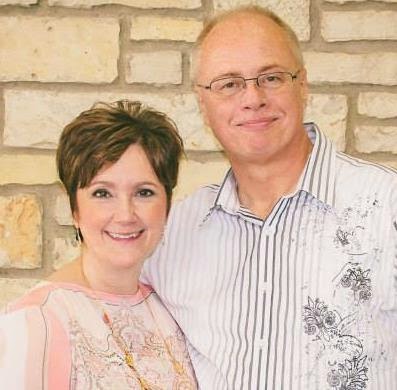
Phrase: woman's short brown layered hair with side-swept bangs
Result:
[102,134]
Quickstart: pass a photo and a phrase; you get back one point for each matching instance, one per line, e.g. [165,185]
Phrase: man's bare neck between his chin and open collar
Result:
[261,185]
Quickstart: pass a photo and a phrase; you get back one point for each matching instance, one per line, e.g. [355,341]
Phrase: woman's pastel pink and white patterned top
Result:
[54,338]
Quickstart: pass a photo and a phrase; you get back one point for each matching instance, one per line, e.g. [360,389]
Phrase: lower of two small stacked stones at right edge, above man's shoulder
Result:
[370,139]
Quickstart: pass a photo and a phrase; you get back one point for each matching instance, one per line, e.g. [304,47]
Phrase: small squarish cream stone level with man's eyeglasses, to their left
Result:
[161,67]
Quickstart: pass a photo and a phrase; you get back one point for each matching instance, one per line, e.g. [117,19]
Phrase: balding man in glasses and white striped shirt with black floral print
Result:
[283,277]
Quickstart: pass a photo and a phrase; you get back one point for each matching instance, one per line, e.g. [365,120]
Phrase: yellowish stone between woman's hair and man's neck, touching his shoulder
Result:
[195,174]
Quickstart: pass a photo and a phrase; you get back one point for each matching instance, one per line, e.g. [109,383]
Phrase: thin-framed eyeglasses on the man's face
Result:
[229,86]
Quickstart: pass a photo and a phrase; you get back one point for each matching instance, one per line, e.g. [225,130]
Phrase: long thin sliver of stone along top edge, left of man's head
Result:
[151,4]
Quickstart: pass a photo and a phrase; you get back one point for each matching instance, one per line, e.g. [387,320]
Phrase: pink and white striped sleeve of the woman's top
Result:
[34,351]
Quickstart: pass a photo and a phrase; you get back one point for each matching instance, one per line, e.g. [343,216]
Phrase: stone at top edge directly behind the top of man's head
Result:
[286,9]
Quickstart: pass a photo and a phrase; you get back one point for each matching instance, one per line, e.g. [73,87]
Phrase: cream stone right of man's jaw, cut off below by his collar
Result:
[329,112]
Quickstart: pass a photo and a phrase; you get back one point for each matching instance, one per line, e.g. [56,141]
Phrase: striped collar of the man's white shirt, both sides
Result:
[317,178]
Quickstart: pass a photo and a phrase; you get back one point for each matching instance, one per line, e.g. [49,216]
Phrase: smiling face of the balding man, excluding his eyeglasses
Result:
[254,125]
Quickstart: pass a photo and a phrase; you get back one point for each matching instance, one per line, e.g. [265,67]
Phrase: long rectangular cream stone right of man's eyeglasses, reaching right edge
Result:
[352,68]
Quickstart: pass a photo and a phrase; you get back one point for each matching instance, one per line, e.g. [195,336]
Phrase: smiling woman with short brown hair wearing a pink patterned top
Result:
[92,325]
